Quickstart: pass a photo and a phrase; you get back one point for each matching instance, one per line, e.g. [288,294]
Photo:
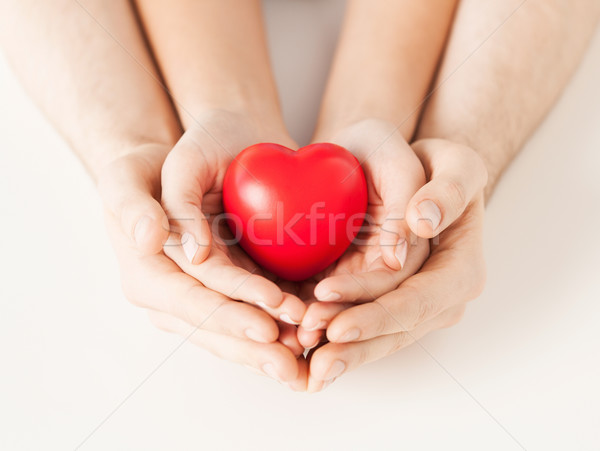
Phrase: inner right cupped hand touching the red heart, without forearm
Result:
[384,253]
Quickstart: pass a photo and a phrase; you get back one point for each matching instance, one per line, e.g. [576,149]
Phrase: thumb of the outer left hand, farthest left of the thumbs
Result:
[127,187]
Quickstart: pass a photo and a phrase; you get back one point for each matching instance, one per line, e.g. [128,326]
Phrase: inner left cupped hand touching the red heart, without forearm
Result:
[202,245]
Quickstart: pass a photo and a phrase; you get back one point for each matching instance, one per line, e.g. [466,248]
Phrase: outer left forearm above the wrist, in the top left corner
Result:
[94,80]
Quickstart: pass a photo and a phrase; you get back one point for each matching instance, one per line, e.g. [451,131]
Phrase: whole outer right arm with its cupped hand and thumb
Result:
[517,76]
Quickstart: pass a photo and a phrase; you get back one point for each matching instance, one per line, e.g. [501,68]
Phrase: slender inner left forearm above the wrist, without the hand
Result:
[213,55]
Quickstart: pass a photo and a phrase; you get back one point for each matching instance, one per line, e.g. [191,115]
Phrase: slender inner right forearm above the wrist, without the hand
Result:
[385,62]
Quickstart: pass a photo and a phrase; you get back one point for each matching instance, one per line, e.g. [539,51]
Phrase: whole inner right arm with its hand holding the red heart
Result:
[399,45]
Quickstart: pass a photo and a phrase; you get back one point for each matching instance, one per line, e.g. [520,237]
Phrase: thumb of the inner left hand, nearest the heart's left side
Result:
[187,174]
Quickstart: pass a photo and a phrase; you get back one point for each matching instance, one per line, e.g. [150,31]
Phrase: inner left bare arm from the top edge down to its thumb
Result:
[214,56]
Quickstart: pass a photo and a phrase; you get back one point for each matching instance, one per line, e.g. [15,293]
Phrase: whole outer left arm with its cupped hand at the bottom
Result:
[99,84]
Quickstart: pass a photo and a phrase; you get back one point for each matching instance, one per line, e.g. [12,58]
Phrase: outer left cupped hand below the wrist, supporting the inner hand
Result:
[177,302]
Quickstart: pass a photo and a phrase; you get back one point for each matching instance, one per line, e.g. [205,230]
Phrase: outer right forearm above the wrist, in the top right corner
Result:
[495,98]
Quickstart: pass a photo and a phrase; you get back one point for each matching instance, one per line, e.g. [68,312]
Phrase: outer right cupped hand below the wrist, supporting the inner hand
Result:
[436,296]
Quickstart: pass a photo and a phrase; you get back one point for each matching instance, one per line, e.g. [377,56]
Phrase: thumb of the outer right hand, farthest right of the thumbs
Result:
[457,176]
